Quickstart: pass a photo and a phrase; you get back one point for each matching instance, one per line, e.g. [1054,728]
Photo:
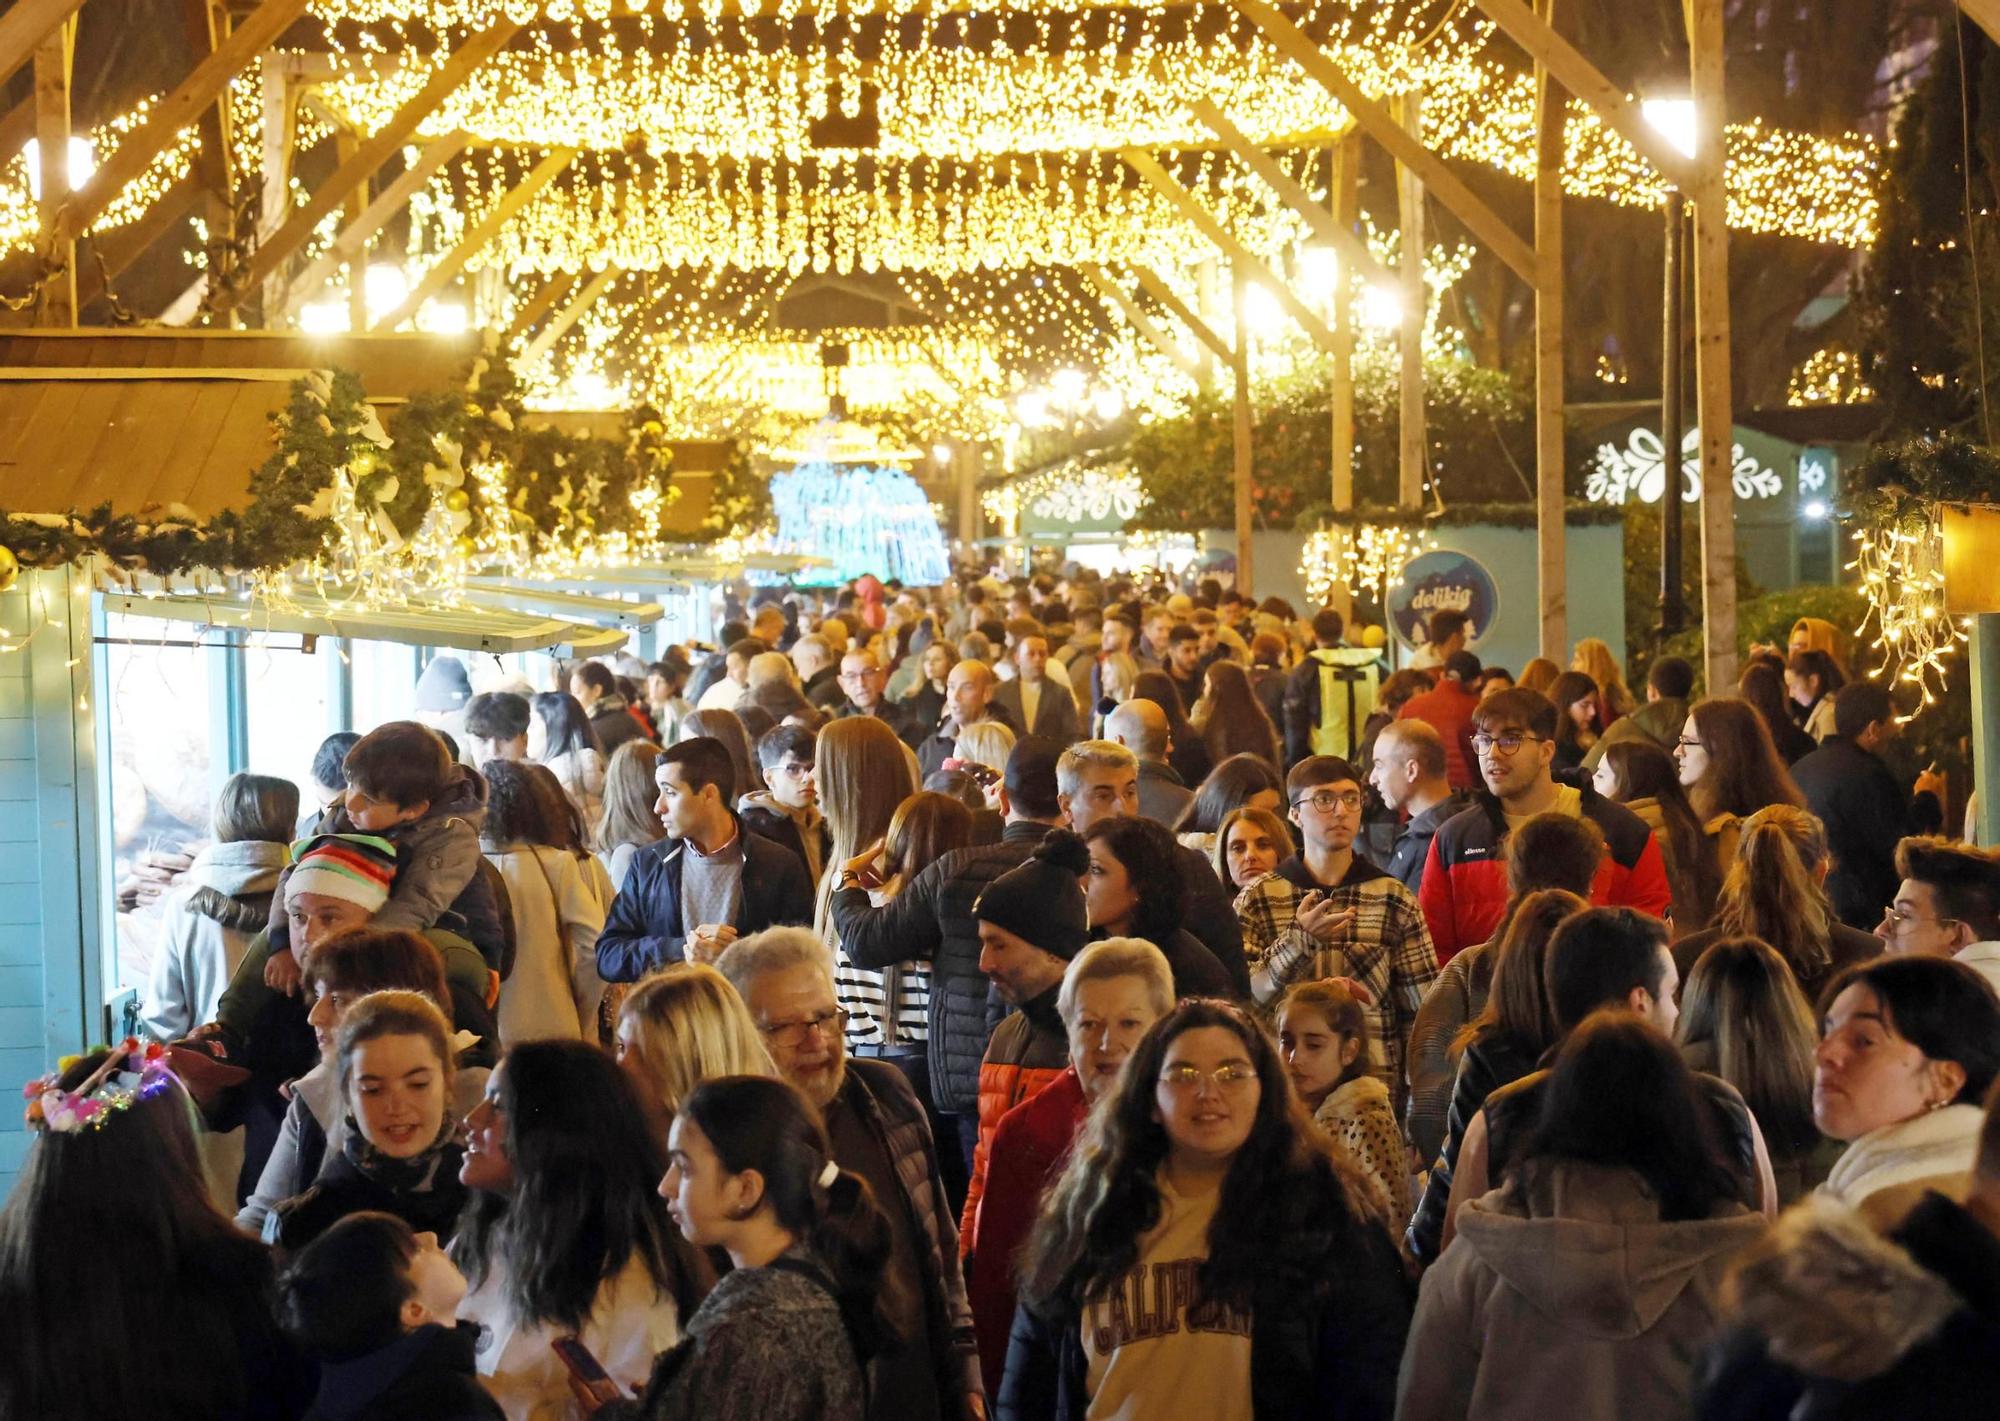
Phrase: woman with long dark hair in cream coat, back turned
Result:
[559,894]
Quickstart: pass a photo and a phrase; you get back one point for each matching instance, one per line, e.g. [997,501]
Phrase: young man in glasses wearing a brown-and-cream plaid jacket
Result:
[1331,914]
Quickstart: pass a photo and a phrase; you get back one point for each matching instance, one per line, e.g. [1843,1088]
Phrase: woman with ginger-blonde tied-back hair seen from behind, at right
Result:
[1775,892]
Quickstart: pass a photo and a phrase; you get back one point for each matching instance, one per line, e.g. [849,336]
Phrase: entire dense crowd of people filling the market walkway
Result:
[1049,1000]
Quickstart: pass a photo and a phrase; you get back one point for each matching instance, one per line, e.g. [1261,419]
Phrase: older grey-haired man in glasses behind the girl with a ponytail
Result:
[879,1132]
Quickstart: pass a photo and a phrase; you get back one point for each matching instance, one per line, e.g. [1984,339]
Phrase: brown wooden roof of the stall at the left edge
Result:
[75,439]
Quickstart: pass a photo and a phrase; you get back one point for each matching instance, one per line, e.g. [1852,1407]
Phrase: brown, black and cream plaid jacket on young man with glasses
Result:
[1387,950]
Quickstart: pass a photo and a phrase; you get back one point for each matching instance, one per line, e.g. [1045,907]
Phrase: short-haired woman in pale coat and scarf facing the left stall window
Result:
[223,902]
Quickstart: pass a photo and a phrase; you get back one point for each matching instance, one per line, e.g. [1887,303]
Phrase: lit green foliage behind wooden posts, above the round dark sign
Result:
[1481,443]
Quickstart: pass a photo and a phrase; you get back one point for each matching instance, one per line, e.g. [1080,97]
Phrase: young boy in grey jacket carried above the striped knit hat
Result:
[405,788]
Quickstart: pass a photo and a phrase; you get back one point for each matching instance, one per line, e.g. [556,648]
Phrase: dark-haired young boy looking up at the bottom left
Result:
[375,1304]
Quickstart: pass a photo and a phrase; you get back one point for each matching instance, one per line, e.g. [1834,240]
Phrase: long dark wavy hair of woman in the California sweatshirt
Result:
[1293,1204]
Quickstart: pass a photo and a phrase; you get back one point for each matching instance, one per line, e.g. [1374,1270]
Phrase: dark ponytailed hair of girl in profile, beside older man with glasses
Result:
[767,1126]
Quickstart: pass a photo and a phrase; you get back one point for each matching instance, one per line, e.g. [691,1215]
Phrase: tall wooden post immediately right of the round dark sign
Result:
[1551,531]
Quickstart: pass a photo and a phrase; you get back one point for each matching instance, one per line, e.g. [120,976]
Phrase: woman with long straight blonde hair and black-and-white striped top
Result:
[865,774]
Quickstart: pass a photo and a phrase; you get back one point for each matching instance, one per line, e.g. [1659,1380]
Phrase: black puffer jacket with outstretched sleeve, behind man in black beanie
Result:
[933,920]
